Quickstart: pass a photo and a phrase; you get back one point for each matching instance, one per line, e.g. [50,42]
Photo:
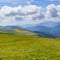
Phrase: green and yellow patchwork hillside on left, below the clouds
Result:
[15,30]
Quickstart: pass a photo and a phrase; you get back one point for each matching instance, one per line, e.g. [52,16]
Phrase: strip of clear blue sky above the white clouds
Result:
[42,3]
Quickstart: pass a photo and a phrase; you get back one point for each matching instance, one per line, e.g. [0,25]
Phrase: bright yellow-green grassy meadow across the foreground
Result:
[21,47]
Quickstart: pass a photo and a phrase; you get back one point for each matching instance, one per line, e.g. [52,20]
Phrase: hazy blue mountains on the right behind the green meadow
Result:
[46,29]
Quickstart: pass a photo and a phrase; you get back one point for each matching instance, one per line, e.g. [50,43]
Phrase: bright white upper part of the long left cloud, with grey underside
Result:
[22,11]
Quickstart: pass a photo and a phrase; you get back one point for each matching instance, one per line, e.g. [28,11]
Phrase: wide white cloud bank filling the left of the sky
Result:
[20,15]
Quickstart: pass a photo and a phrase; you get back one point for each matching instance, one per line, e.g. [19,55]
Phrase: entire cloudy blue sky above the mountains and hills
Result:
[27,12]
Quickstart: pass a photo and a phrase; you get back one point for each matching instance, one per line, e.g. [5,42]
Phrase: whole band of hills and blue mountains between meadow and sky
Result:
[46,29]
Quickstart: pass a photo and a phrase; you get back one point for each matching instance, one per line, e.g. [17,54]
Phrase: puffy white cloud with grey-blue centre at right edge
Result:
[53,11]
